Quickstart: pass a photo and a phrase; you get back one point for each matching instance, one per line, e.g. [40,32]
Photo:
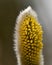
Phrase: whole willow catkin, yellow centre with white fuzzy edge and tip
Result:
[28,39]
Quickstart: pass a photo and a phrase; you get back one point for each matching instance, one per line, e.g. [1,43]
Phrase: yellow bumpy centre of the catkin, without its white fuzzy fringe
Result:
[30,32]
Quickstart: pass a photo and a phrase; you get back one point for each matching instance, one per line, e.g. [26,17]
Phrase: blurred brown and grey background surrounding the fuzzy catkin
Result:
[9,10]
